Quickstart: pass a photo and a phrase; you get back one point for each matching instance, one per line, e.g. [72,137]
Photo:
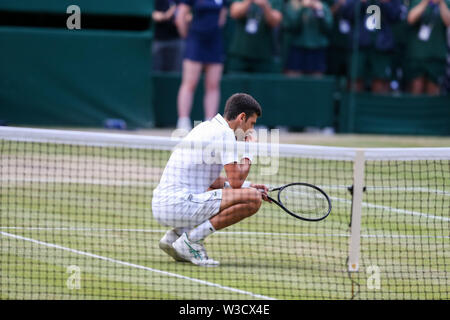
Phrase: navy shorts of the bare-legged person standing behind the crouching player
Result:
[204,47]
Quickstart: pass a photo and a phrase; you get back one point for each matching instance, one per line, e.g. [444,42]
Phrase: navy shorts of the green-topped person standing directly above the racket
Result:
[306,60]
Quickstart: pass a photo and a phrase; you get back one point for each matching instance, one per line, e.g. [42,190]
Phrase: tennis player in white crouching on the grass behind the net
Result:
[193,199]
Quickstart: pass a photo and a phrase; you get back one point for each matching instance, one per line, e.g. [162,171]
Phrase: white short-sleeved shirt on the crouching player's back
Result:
[197,162]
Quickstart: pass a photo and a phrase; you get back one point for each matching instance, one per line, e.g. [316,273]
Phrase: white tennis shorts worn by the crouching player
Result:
[190,211]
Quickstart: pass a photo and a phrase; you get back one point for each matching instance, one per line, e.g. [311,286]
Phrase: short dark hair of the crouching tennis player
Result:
[241,102]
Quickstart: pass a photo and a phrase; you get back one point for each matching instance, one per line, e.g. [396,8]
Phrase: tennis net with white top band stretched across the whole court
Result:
[76,222]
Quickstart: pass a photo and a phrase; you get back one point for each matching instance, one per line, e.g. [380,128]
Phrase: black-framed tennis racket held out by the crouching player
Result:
[302,201]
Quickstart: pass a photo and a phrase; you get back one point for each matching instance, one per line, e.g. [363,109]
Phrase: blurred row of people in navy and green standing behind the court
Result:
[407,49]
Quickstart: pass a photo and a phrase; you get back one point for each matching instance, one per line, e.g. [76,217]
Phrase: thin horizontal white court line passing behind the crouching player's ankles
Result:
[254,233]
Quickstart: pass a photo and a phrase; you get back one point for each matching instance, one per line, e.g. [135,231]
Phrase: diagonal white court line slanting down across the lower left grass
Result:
[170,274]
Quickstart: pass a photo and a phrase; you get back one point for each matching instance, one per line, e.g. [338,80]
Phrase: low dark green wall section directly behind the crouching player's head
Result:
[286,101]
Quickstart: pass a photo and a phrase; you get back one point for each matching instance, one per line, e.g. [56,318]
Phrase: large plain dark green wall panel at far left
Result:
[57,77]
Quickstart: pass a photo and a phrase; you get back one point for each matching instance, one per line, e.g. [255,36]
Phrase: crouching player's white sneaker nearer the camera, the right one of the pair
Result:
[192,251]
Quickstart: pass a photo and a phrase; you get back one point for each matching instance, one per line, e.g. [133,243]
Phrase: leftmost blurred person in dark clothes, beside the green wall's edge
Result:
[167,47]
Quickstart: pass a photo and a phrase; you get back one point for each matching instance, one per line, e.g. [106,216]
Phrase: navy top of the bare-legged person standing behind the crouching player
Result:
[205,14]
